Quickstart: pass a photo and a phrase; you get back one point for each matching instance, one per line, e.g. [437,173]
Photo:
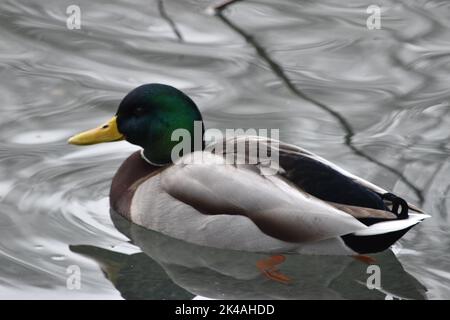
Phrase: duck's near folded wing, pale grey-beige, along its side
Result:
[276,207]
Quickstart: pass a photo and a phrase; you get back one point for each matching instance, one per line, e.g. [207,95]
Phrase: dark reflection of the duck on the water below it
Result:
[228,274]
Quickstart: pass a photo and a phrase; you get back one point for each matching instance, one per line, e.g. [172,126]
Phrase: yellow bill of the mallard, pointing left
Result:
[106,133]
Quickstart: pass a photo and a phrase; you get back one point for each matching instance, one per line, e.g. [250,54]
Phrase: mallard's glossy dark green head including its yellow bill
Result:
[147,117]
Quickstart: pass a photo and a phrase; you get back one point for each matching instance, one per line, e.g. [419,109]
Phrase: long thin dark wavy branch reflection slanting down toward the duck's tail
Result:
[278,70]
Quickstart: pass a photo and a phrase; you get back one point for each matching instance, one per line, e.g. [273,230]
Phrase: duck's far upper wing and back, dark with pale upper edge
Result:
[300,165]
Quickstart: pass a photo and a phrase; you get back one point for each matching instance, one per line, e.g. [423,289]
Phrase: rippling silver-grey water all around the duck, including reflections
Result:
[373,101]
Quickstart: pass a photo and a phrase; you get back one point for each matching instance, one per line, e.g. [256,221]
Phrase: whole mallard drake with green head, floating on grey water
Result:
[309,205]
